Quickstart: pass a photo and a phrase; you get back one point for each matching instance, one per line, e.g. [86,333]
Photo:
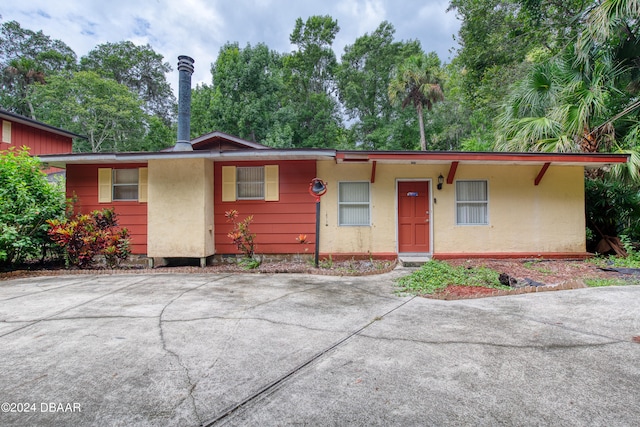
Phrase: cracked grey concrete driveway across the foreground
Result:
[197,349]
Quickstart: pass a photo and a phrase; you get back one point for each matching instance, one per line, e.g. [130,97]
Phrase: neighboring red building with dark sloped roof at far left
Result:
[19,131]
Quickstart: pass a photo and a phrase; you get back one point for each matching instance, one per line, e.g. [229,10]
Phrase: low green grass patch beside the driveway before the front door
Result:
[435,275]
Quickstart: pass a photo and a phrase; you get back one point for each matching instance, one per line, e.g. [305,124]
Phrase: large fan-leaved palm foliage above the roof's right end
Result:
[583,100]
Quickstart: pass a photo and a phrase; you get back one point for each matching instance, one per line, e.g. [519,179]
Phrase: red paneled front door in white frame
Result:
[413,216]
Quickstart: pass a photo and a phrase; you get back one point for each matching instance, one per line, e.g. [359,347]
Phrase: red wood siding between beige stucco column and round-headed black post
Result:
[276,224]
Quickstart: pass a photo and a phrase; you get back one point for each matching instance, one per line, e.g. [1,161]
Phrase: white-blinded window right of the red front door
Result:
[472,203]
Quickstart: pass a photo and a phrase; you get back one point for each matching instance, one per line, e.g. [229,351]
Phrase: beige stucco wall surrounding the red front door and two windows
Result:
[523,218]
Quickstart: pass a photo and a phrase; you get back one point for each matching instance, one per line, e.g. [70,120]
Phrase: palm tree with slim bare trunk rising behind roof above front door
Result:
[417,82]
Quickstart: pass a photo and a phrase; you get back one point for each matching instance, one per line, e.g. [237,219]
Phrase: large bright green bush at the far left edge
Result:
[27,201]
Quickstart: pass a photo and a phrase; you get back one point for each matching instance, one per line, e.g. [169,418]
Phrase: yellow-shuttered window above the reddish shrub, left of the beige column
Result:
[122,185]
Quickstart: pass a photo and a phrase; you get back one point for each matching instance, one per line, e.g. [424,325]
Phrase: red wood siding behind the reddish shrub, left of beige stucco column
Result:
[82,184]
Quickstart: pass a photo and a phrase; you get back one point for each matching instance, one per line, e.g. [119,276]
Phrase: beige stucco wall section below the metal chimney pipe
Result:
[180,208]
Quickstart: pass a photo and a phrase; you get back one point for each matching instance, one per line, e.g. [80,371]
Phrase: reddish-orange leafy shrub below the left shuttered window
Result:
[83,237]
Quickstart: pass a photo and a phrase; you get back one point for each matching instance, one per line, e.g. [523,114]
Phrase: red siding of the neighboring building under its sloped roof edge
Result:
[40,141]
